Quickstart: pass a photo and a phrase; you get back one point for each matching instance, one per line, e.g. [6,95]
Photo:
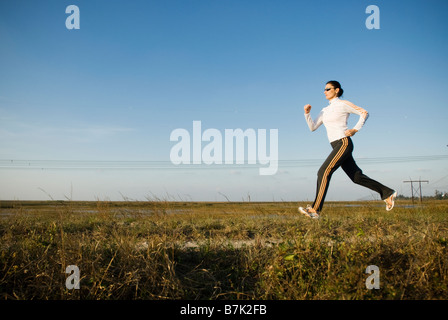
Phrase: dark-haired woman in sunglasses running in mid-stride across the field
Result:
[334,118]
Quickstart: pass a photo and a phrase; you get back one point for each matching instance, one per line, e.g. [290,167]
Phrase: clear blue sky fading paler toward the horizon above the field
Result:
[91,110]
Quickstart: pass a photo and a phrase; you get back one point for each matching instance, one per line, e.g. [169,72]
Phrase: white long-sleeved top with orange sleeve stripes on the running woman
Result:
[335,116]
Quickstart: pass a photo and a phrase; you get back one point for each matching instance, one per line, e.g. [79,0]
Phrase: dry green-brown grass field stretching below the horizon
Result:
[195,250]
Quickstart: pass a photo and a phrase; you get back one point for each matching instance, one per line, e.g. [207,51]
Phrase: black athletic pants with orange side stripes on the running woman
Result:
[341,156]
